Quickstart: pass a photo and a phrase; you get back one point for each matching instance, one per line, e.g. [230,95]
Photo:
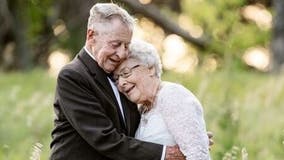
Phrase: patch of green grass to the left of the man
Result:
[25,113]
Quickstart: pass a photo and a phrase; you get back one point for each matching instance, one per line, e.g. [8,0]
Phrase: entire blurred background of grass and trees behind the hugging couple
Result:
[229,53]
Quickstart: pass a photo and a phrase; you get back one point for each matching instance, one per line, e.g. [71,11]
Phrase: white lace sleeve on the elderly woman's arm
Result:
[183,116]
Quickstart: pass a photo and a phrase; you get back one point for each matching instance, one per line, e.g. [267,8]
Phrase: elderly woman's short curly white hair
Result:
[147,54]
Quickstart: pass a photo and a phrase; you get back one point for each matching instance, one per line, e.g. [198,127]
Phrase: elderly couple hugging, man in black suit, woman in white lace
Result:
[110,102]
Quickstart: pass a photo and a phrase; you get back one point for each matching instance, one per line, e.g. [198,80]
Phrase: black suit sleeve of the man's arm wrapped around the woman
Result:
[83,109]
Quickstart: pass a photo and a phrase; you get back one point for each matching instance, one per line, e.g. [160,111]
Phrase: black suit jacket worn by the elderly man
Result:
[87,124]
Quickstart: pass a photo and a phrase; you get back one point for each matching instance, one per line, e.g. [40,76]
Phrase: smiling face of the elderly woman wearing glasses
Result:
[134,80]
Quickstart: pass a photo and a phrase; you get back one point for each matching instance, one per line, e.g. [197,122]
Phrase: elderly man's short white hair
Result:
[102,13]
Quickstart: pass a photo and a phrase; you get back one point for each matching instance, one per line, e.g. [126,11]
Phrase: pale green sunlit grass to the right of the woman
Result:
[244,111]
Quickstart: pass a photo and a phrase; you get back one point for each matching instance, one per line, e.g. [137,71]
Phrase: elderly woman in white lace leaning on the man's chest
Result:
[171,114]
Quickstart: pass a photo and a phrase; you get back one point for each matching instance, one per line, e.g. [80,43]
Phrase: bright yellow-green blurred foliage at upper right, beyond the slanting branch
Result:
[228,32]
